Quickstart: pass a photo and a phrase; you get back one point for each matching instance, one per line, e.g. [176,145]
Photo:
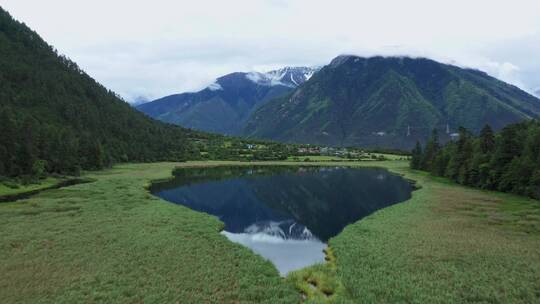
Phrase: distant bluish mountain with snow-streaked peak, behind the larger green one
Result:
[224,106]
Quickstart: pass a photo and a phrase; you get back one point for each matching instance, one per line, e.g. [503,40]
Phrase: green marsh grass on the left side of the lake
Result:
[112,242]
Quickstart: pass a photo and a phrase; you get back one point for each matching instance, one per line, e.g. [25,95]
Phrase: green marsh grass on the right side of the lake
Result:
[447,244]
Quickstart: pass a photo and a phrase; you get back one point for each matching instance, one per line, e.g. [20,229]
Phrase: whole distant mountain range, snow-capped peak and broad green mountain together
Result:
[386,102]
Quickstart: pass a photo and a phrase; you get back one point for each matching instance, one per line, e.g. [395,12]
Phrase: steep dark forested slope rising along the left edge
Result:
[54,118]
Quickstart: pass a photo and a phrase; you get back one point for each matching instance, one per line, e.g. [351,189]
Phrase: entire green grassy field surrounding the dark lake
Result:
[112,241]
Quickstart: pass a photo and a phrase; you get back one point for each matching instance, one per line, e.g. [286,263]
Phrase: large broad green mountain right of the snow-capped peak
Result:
[389,102]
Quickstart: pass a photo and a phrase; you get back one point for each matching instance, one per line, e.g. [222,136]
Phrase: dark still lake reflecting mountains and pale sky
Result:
[285,213]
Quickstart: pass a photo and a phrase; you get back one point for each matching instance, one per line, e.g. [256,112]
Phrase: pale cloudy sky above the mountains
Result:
[160,47]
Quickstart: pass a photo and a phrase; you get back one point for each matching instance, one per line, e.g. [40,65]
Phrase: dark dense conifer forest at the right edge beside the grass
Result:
[507,161]
